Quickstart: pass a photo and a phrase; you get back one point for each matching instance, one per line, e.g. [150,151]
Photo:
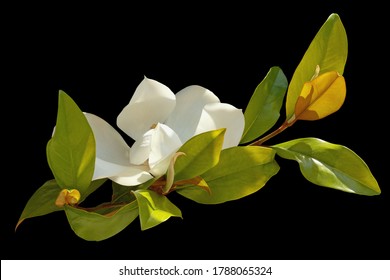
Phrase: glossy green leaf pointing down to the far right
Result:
[330,165]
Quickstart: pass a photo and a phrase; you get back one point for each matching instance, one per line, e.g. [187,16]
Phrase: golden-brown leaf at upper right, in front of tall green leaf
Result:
[321,97]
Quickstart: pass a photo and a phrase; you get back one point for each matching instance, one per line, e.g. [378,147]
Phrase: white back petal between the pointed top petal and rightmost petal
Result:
[189,106]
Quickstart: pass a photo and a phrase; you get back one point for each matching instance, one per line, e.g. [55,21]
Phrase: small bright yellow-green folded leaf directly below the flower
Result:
[154,208]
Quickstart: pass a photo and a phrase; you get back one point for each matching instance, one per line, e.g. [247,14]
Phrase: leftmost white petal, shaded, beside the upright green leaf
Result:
[112,152]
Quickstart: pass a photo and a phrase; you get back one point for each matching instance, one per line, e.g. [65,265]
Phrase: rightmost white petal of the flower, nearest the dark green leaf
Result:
[222,115]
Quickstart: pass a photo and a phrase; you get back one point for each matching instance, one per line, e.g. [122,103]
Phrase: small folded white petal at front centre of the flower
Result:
[164,145]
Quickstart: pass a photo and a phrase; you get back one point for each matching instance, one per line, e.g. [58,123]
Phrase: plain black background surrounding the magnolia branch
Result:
[98,55]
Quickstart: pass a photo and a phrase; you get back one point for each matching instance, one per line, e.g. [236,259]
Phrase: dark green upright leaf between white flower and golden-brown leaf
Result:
[263,109]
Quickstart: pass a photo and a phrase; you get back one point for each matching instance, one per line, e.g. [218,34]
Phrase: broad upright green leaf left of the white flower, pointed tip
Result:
[71,150]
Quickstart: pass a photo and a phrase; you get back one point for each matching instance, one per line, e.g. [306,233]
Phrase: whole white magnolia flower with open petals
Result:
[160,122]
